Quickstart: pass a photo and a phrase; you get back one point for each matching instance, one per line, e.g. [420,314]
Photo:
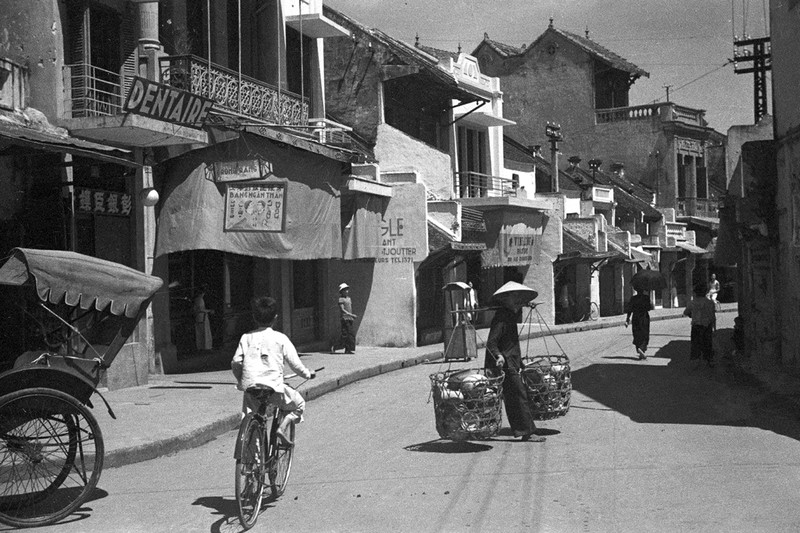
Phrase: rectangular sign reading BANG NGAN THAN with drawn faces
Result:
[255,207]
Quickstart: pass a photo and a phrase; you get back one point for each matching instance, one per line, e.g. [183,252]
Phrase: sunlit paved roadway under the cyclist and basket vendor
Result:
[659,445]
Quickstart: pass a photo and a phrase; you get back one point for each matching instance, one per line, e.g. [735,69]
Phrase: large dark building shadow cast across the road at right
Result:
[684,391]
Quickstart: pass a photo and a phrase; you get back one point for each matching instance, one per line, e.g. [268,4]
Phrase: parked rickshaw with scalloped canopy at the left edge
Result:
[51,447]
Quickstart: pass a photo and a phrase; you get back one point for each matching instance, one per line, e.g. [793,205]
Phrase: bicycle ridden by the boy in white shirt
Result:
[260,455]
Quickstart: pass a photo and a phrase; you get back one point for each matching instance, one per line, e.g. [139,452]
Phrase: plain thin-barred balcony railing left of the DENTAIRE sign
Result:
[91,91]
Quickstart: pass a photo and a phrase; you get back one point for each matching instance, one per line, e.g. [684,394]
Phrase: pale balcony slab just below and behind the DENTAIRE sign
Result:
[133,130]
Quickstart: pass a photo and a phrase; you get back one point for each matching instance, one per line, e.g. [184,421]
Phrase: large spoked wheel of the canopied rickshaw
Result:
[51,456]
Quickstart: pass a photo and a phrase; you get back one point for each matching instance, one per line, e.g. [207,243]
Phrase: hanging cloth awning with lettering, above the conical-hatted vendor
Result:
[514,238]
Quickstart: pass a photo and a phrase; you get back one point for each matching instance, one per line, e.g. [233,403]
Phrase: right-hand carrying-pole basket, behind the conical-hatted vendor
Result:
[549,384]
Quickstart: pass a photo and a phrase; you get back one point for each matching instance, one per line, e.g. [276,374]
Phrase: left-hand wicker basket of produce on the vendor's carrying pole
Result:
[467,403]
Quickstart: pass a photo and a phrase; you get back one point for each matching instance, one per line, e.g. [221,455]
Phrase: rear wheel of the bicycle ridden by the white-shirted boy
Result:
[249,470]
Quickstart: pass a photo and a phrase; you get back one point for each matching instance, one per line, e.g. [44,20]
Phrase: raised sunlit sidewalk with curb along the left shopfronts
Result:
[181,411]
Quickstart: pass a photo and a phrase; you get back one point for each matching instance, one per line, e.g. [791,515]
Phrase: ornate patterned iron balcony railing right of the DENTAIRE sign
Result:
[234,92]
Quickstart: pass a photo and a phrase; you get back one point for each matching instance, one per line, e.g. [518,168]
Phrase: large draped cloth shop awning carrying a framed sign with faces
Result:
[192,215]
